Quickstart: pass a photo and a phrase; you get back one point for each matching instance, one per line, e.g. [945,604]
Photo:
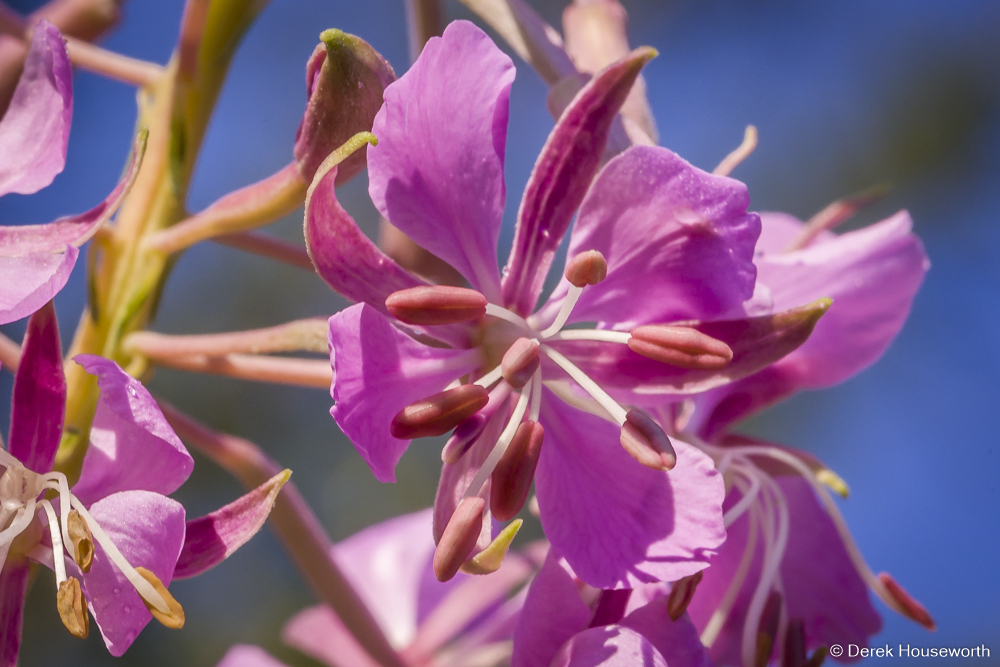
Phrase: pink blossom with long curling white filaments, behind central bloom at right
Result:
[789,578]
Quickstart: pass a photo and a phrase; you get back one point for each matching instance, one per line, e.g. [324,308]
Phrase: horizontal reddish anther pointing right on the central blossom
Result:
[680,346]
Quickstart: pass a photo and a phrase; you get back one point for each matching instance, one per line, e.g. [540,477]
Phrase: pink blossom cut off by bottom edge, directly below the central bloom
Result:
[566,623]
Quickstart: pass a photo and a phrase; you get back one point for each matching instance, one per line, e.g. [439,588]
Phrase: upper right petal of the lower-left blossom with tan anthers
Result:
[131,444]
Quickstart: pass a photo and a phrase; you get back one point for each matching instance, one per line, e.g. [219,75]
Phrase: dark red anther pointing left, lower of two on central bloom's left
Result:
[438,414]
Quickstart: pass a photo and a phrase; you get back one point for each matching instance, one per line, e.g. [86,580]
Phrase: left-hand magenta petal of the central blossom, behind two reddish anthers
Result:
[377,371]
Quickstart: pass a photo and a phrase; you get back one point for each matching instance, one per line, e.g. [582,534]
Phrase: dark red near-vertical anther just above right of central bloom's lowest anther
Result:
[515,470]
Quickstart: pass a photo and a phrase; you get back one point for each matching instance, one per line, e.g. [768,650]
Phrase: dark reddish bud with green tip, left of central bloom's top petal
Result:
[345,78]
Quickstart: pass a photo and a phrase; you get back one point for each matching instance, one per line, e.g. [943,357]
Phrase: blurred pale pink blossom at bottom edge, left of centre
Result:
[464,622]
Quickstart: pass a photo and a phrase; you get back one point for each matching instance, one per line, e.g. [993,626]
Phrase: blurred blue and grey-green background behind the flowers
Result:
[846,94]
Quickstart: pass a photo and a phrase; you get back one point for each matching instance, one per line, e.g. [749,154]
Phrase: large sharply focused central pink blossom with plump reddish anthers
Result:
[656,240]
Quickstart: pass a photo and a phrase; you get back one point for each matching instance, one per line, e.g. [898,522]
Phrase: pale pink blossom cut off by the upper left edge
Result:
[36,260]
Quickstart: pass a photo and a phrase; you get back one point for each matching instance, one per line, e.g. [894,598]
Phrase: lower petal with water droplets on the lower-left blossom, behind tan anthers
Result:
[149,531]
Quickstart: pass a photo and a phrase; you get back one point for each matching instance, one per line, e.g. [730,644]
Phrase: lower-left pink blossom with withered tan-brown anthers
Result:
[122,534]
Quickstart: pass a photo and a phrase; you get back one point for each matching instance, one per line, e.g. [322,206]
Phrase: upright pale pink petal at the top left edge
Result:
[35,130]
